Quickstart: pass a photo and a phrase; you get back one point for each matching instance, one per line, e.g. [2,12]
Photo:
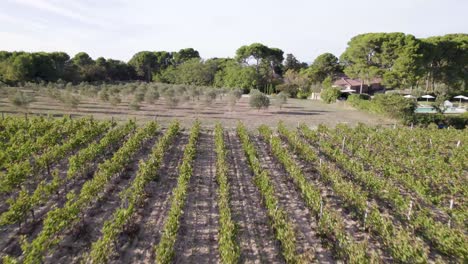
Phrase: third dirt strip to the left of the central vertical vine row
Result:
[78,240]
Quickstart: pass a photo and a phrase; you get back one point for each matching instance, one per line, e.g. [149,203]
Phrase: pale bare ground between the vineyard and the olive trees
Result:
[311,112]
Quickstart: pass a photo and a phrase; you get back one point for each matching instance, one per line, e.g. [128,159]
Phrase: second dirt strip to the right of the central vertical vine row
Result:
[308,243]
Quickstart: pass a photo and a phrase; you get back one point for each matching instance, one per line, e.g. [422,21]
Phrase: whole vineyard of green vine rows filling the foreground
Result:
[88,191]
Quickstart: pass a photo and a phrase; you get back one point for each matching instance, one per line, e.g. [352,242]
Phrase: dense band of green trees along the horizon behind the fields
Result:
[400,60]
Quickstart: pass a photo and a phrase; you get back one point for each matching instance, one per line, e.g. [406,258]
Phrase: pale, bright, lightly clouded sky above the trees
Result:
[216,28]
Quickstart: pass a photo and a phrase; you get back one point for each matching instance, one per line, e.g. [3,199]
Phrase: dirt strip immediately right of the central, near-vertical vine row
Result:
[256,238]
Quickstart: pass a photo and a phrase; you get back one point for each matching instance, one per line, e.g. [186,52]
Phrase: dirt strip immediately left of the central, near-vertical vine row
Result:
[197,240]
